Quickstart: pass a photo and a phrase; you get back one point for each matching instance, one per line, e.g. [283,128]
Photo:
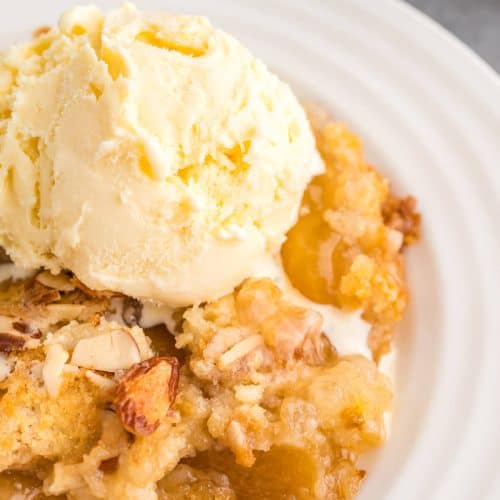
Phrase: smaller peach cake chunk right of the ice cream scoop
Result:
[345,248]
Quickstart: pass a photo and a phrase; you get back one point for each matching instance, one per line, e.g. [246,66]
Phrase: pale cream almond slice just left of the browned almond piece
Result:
[108,352]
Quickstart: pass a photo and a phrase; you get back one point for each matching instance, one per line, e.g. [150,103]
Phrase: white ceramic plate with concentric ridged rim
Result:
[429,113]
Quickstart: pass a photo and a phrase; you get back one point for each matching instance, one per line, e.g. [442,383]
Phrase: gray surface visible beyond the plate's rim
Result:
[476,22]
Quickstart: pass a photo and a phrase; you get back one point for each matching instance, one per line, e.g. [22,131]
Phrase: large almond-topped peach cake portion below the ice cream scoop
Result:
[94,408]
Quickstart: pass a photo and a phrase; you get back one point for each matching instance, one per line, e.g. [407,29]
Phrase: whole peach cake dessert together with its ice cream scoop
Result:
[198,280]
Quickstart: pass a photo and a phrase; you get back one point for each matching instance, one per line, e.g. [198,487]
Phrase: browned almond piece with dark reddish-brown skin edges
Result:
[145,394]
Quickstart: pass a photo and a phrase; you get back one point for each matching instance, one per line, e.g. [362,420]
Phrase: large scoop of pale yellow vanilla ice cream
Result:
[149,154]
